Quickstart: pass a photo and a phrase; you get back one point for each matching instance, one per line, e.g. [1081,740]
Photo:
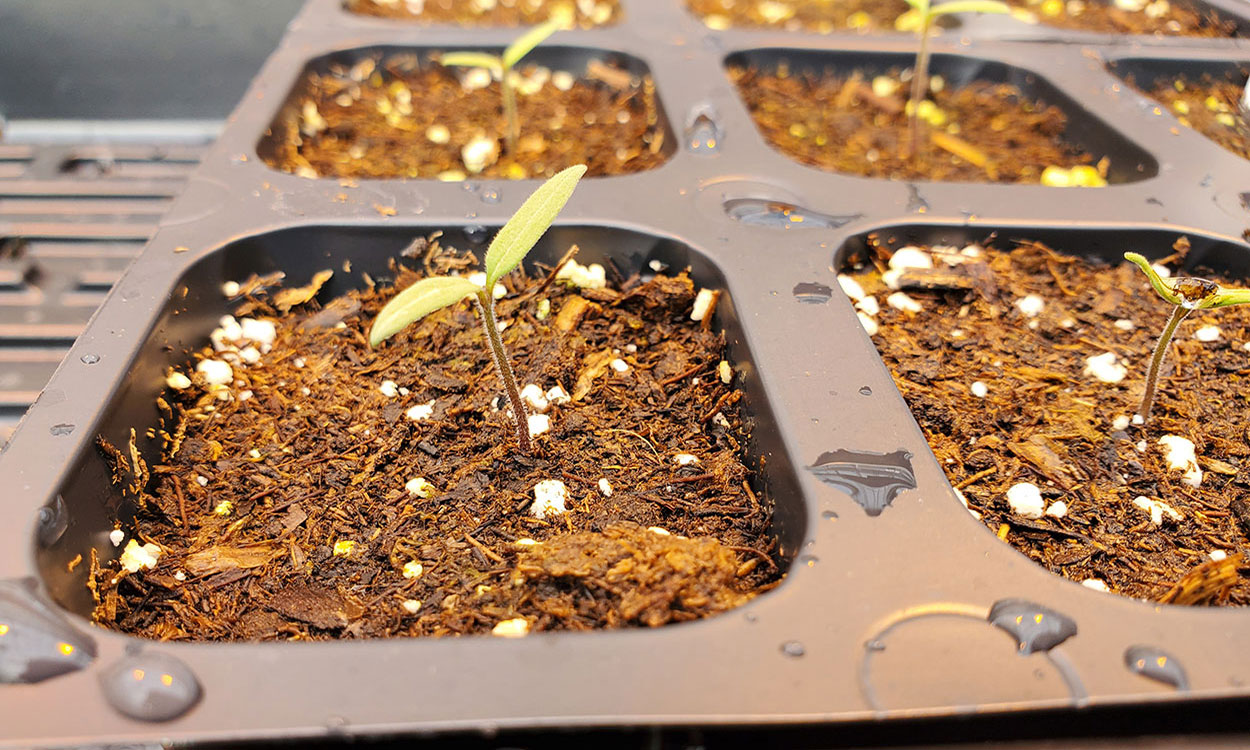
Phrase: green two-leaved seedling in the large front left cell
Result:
[506,253]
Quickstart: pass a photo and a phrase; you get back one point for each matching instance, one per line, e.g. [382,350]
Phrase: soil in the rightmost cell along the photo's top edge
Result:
[1157,18]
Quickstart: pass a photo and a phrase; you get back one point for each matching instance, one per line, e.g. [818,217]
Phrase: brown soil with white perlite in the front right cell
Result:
[1047,421]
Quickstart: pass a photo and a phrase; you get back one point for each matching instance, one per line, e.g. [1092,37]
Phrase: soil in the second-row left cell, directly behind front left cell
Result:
[402,118]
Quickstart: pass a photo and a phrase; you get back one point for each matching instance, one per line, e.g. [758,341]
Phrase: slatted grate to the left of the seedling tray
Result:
[72,219]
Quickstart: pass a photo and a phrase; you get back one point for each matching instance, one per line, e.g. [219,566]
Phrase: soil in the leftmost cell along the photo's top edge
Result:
[491,13]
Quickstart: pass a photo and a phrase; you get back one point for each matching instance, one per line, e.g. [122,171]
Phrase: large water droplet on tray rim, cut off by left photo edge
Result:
[36,644]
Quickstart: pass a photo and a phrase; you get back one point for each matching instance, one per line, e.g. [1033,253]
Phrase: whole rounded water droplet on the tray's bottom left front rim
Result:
[151,687]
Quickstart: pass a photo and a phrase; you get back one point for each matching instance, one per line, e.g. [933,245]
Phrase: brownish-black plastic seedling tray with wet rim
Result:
[897,604]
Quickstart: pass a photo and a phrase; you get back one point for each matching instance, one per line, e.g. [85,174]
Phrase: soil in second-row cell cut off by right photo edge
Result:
[1211,107]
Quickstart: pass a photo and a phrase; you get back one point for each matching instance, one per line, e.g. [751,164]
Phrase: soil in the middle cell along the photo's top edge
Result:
[823,17]
